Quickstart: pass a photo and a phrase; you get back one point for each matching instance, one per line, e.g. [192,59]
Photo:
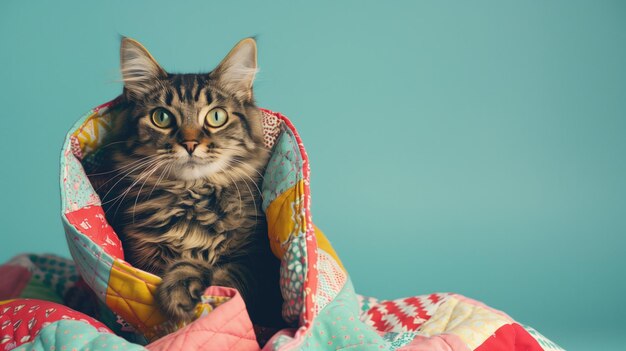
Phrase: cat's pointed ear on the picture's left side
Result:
[140,70]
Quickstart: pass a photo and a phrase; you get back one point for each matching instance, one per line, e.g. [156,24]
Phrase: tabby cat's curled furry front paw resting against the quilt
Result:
[181,289]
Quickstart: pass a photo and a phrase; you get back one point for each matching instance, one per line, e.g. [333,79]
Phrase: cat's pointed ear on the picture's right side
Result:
[236,72]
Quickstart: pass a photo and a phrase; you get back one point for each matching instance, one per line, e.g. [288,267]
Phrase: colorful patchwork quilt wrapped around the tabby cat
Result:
[116,300]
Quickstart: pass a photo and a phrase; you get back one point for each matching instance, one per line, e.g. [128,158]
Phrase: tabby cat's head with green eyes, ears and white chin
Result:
[192,126]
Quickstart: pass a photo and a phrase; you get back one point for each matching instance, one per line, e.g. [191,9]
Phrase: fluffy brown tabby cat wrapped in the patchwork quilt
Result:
[185,197]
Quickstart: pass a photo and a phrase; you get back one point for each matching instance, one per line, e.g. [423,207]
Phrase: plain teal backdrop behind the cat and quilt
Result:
[476,148]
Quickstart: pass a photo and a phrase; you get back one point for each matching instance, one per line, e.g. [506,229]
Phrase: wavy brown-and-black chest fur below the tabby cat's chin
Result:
[182,220]
